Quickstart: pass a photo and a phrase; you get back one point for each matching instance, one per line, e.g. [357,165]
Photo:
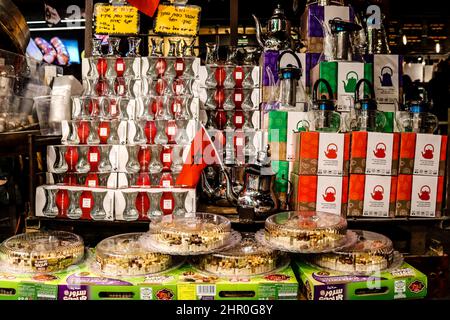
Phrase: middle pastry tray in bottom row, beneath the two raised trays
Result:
[246,258]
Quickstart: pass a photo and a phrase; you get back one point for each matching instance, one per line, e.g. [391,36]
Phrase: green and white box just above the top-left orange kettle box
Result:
[281,125]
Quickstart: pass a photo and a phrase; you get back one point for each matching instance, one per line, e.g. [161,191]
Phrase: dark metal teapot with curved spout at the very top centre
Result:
[278,34]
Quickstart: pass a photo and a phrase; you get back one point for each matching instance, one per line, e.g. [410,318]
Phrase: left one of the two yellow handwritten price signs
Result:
[116,20]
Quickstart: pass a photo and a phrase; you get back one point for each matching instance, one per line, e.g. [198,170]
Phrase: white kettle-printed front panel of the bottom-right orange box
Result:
[423,198]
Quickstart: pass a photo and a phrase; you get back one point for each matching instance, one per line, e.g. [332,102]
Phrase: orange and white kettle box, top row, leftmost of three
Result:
[320,153]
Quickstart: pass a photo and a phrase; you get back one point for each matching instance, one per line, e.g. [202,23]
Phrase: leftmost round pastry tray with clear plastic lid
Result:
[41,252]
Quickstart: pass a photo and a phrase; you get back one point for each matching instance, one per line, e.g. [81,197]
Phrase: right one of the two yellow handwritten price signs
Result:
[177,20]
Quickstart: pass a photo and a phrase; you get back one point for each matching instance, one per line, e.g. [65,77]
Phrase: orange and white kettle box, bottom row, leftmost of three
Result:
[319,193]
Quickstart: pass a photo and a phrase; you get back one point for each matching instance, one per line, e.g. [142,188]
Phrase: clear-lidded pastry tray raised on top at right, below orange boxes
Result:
[305,231]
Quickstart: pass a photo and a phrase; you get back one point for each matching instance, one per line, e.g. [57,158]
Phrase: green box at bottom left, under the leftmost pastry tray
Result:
[81,283]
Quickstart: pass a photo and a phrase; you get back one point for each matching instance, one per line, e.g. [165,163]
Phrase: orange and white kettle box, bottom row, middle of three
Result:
[371,196]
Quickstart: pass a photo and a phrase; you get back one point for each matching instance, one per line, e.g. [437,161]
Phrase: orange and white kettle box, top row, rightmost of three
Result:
[422,154]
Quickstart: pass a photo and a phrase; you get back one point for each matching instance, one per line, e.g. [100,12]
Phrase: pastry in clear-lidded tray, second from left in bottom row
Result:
[123,255]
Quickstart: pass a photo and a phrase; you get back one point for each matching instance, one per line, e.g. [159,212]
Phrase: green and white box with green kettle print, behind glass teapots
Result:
[342,76]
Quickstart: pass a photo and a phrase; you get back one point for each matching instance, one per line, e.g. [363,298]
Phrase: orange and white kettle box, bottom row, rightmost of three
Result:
[419,196]
